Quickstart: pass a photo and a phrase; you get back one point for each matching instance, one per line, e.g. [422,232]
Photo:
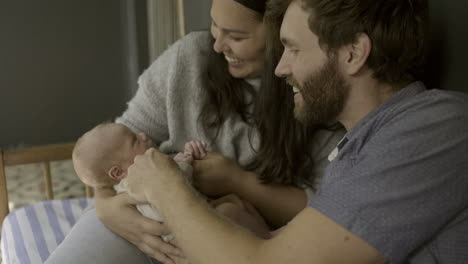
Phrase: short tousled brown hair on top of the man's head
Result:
[398,30]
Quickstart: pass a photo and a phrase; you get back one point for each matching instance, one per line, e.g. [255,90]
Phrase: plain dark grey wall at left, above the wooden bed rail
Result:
[62,68]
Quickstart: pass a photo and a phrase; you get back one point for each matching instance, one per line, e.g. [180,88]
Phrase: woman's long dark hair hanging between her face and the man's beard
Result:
[285,144]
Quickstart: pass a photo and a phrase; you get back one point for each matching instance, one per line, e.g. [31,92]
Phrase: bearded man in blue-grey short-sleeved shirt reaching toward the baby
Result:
[396,188]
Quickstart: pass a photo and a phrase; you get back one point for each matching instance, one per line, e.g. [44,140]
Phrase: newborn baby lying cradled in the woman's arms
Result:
[102,156]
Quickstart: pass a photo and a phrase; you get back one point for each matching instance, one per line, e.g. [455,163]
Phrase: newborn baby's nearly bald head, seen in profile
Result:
[102,155]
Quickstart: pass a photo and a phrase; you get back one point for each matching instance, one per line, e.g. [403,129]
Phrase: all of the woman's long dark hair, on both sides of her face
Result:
[282,156]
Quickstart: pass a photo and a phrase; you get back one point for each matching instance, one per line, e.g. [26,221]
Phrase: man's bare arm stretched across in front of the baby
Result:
[208,238]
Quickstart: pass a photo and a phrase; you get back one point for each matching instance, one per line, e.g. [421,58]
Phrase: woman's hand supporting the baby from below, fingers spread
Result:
[119,214]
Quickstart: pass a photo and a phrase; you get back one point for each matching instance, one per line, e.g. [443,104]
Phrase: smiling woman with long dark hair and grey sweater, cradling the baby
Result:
[217,87]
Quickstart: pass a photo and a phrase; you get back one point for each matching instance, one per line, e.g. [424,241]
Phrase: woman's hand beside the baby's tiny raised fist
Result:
[216,175]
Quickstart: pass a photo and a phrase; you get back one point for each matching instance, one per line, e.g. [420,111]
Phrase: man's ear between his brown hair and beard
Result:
[356,54]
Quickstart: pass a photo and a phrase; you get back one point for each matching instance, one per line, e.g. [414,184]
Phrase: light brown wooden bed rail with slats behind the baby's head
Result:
[43,155]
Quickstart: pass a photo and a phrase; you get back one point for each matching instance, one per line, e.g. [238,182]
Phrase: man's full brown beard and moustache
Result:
[324,93]
